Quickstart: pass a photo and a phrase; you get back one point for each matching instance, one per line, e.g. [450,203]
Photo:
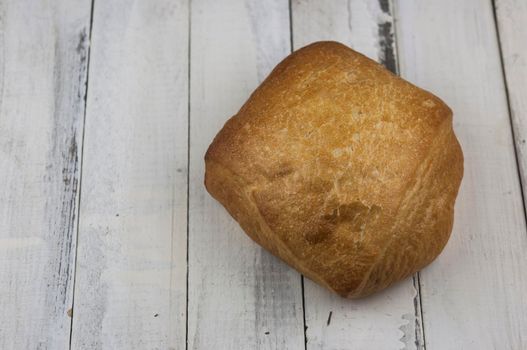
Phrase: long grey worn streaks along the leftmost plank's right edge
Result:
[62,176]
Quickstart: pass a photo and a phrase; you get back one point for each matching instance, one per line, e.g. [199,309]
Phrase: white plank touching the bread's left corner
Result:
[240,297]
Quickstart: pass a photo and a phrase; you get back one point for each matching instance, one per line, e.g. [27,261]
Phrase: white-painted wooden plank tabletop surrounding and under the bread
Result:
[108,239]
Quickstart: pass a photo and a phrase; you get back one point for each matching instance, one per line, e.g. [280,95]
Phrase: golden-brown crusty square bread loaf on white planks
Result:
[344,170]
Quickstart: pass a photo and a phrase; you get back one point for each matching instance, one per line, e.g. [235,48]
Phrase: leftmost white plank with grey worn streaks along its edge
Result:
[43,53]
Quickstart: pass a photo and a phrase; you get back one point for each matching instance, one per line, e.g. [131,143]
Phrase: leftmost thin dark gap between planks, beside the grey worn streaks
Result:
[81,168]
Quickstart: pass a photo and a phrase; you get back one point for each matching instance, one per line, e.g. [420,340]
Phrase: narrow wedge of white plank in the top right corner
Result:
[511,18]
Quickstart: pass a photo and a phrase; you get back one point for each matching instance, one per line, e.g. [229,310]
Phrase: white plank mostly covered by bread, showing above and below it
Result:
[391,319]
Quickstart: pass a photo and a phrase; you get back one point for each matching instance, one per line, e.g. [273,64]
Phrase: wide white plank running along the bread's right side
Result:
[474,296]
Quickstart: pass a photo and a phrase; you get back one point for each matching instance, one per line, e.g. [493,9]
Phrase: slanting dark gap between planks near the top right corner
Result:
[509,109]
